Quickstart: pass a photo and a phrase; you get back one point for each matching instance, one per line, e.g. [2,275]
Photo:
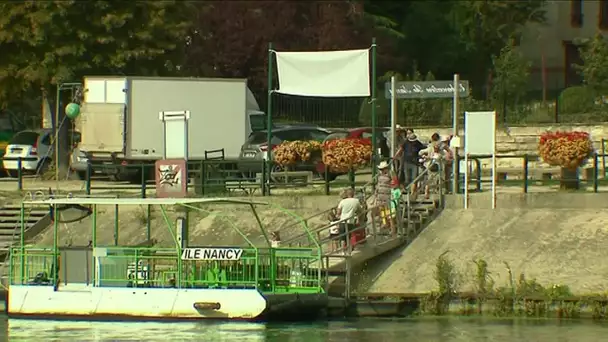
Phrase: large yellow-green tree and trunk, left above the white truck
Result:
[45,43]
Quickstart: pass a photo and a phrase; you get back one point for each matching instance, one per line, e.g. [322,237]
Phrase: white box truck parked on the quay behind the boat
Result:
[138,120]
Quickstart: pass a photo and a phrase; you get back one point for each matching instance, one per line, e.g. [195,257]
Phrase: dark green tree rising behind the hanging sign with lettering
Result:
[462,36]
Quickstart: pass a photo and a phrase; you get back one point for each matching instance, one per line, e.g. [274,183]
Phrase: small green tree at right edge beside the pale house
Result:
[595,63]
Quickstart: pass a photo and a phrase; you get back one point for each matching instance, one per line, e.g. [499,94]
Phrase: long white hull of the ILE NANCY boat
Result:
[134,303]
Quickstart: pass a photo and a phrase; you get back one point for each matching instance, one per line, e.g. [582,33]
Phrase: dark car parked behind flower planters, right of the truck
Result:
[257,147]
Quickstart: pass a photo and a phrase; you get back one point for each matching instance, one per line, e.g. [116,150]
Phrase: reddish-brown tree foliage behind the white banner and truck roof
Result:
[230,38]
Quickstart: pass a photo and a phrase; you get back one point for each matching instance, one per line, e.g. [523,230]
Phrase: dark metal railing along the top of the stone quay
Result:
[220,178]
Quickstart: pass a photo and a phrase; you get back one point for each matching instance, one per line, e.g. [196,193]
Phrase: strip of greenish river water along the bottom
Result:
[378,330]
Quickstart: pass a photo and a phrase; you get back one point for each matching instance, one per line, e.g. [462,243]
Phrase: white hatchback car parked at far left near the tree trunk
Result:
[34,149]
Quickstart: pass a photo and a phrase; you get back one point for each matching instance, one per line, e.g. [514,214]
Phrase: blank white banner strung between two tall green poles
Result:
[324,73]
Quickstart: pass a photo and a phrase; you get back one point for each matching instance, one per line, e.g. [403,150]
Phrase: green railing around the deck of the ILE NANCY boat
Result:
[266,269]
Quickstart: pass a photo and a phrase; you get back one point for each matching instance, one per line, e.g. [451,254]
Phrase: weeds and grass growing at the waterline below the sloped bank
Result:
[520,296]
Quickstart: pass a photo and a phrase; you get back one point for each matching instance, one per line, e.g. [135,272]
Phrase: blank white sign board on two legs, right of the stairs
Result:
[479,139]
